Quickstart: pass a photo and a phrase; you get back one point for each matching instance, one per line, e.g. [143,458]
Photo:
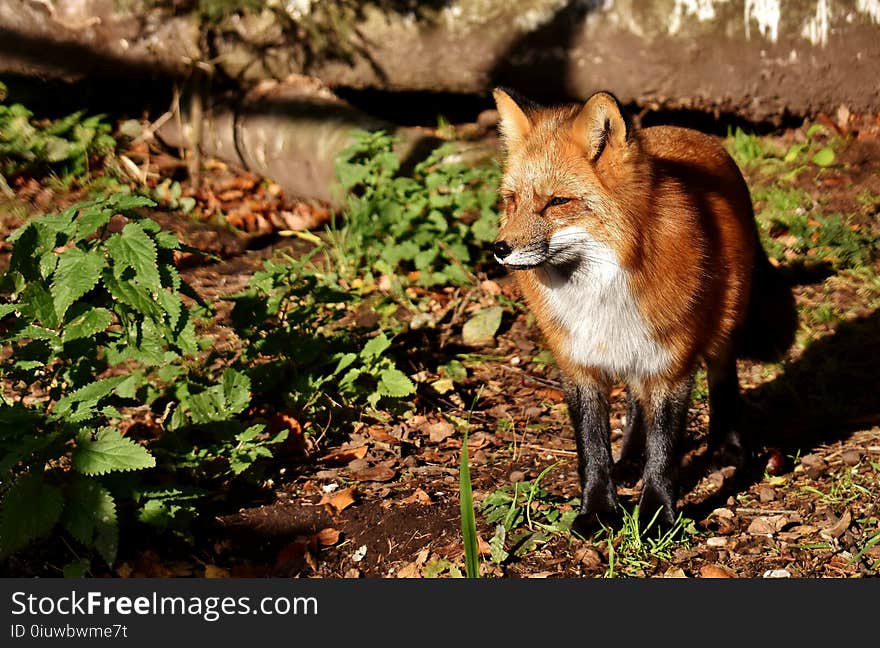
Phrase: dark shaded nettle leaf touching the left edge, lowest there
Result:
[29,511]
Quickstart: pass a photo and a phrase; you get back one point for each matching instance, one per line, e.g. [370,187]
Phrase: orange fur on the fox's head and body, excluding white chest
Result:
[670,202]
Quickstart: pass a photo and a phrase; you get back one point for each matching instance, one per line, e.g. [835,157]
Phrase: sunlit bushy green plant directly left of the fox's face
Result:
[430,226]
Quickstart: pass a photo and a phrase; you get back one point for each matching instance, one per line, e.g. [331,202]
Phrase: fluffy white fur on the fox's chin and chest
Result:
[600,316]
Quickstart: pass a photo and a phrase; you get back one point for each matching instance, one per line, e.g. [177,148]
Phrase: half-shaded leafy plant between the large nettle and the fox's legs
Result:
[295,317]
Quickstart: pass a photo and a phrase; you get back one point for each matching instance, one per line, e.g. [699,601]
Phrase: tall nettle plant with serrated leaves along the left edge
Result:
[91,305]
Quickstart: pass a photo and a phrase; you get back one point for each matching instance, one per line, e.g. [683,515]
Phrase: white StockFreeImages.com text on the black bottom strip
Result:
[209,608]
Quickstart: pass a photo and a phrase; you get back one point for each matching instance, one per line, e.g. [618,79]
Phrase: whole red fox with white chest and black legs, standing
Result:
[638,254]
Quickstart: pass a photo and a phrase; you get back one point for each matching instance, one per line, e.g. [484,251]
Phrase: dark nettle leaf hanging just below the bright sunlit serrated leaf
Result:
[90,517]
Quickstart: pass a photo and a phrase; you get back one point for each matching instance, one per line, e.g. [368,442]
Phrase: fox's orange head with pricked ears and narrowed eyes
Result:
[570,178]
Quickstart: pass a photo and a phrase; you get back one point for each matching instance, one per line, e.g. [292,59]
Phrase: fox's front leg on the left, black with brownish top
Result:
[589,408]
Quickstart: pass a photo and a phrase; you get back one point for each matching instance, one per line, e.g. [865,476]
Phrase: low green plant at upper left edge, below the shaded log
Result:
[66,147]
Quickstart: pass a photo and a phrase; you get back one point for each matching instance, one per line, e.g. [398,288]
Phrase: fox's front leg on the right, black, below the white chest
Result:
[666,407]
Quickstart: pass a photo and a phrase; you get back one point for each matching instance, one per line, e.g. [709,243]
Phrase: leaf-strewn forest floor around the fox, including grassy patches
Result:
[383,499]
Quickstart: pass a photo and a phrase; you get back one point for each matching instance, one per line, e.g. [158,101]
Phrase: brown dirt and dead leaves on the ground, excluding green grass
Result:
[385,501]
